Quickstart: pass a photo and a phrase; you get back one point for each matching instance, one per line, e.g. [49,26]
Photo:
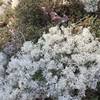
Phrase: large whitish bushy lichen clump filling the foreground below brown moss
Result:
[60,65]
